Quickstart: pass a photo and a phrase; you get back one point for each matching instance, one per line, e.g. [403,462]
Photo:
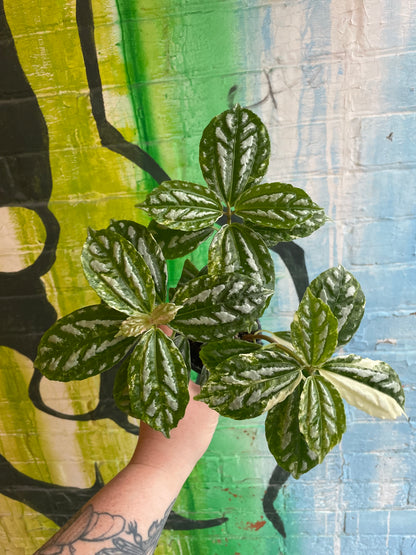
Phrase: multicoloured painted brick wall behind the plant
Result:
[335,83]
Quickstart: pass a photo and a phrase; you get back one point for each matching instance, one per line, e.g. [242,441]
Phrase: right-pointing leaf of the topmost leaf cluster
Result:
[276,205]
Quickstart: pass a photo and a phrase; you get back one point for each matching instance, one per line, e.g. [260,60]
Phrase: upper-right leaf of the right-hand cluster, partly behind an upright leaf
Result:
[339,289]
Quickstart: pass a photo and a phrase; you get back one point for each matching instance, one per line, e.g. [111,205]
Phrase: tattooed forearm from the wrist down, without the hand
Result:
[130,511]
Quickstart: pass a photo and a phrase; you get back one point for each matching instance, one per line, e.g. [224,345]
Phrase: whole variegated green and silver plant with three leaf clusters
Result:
[292,375]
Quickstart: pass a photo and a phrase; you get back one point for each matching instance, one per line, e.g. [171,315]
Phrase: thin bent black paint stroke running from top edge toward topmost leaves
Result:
[110,137]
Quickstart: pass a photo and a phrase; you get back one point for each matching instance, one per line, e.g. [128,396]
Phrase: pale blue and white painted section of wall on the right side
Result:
[355,152]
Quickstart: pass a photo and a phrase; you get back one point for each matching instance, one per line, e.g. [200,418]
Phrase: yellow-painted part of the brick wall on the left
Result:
[90,185]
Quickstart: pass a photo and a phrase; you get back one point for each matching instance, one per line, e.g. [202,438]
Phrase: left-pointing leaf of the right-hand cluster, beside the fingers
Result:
[246,385]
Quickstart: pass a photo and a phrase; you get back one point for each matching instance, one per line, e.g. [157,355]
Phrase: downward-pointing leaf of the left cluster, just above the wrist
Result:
[158,382]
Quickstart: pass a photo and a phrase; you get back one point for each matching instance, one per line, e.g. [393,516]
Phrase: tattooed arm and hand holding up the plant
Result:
[131,510]
